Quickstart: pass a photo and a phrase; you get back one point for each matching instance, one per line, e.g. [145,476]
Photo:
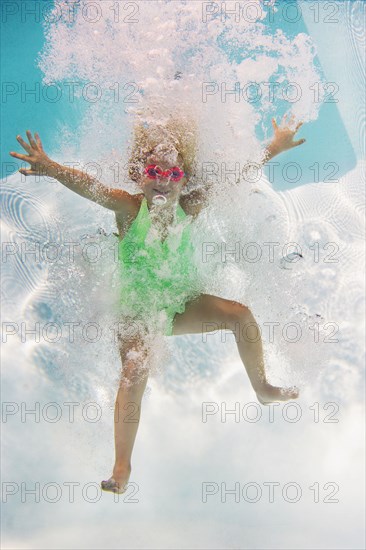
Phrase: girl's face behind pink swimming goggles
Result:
[162,185]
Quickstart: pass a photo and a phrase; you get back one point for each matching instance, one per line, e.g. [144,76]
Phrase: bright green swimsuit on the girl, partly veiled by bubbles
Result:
[157,277]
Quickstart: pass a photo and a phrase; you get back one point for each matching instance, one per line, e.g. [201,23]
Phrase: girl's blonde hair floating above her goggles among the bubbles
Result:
[176,137]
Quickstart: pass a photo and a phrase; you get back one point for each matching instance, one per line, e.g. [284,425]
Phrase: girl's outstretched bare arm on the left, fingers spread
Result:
[76,180]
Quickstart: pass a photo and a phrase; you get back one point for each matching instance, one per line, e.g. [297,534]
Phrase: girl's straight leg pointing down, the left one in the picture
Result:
[135,370]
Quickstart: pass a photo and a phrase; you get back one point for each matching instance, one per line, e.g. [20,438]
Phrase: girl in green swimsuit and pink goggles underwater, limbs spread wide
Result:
[155,251]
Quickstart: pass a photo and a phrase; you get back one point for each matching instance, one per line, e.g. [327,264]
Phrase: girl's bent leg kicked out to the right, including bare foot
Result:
[209,313]
